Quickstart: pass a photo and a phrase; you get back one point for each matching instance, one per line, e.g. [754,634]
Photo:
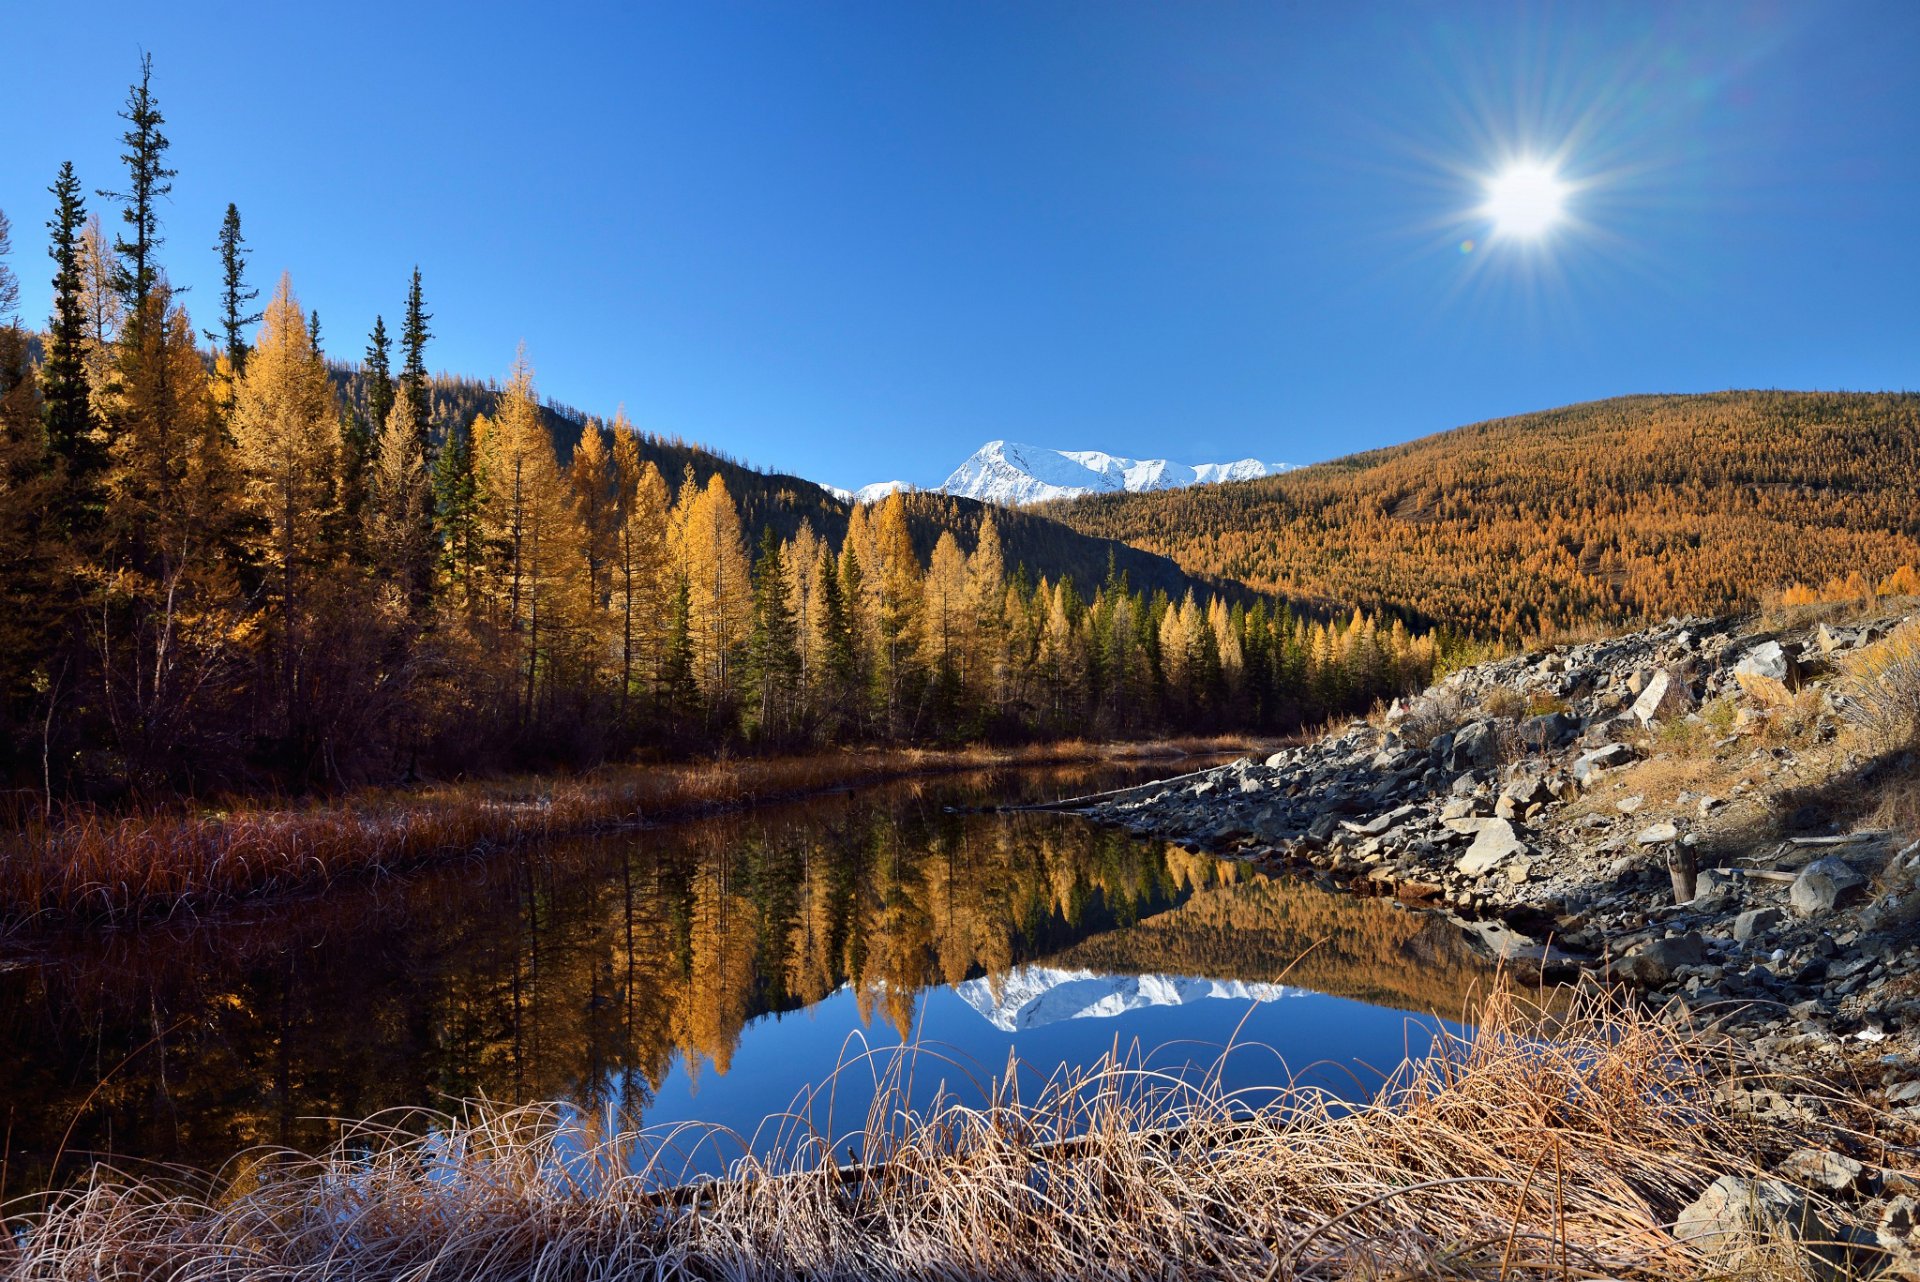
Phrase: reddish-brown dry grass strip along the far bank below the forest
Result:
[95,867]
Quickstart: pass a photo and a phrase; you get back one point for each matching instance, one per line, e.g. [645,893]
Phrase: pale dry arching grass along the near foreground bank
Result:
[1508,1154]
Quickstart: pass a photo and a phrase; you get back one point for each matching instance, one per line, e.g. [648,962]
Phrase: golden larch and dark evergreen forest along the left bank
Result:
[233,565]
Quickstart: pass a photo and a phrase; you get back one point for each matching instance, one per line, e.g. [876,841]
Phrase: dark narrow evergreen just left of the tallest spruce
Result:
[64,387]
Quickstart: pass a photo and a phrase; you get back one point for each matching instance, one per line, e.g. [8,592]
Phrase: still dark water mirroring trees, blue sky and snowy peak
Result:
[713,972]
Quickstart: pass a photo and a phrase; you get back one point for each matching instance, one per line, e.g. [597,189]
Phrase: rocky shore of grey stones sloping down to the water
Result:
[1698,813]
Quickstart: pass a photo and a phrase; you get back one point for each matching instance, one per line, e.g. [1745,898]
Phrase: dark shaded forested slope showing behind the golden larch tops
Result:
[1044,546]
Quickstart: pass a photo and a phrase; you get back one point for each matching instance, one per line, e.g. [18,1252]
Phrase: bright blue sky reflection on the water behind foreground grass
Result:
[1312,1041]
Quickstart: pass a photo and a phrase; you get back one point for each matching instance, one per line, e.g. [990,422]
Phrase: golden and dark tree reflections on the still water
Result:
[588,970]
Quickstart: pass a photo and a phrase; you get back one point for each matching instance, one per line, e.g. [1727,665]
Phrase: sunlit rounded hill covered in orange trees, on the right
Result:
[1610,511]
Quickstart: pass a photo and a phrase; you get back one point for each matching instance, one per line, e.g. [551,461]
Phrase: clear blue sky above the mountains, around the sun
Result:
[855,241]
